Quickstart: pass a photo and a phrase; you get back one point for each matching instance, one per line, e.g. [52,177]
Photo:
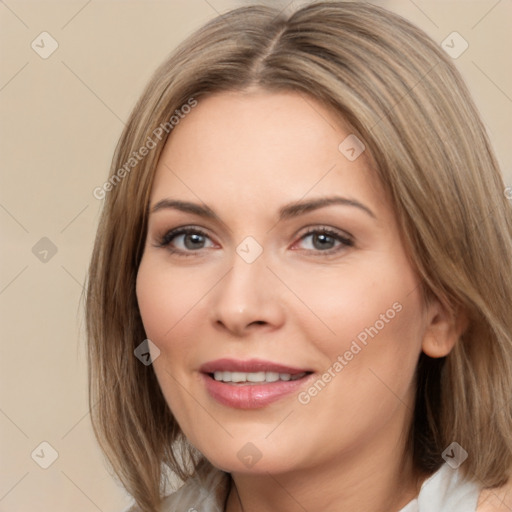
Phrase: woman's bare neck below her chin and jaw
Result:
[374,482]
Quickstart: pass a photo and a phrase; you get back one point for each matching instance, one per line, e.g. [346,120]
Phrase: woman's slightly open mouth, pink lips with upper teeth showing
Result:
[251,384]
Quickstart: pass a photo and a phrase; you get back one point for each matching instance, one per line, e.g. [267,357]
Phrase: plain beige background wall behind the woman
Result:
[60,119]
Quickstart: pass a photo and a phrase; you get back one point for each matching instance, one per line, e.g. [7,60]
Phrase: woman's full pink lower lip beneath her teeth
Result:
[251,396]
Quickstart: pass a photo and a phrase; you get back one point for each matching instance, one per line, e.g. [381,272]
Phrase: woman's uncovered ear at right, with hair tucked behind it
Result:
[444,326]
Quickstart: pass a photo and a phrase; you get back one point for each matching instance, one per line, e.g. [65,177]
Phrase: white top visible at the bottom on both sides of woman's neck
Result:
[444,491]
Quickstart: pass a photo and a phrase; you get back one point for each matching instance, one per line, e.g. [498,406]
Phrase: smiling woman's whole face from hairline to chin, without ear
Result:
[272,283]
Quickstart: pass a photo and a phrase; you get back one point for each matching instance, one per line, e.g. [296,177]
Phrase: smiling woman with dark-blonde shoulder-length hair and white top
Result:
[304,238]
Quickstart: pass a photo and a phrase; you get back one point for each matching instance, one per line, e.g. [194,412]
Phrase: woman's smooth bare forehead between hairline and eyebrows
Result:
[259,148]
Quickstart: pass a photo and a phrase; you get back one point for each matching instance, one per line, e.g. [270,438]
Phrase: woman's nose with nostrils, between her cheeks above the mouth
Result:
[248,298]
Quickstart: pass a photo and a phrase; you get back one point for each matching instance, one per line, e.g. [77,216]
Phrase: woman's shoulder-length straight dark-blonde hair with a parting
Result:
[404,98]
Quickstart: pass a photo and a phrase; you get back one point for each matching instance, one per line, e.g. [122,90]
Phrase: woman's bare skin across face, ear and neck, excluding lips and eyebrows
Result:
[245,155]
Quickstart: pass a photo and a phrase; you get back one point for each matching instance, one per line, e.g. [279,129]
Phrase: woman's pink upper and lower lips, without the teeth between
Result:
[249,396]
